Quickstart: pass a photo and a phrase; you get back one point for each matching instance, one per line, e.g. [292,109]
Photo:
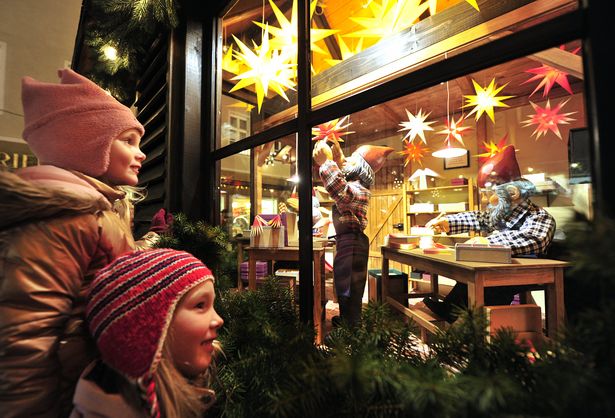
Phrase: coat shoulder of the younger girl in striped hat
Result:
[92,401]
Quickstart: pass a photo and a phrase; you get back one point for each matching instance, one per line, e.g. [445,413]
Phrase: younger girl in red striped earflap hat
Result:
[152,316]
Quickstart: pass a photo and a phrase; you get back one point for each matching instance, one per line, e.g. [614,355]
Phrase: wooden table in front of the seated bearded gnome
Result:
[478,275]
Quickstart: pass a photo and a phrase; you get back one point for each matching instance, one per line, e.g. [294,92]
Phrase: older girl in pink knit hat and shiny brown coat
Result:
[60,222]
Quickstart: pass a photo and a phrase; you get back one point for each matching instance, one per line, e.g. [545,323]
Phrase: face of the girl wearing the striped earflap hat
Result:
[193,330]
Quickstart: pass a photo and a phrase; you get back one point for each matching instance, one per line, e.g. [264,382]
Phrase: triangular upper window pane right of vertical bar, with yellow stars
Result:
[376,40]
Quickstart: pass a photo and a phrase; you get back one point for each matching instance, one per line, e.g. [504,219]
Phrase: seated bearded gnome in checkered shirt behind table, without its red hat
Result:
[511,219]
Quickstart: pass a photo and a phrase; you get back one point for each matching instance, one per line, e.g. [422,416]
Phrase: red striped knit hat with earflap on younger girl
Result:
[130,306]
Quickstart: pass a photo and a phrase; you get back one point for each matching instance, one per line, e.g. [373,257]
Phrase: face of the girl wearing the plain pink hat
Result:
[125,160]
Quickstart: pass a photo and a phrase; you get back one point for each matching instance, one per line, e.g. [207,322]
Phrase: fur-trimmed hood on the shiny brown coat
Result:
[41,192]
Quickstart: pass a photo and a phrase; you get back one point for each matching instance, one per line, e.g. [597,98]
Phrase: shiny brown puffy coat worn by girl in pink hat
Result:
[57,228]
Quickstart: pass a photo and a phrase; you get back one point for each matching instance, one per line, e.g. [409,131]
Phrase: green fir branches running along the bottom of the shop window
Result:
[271,368]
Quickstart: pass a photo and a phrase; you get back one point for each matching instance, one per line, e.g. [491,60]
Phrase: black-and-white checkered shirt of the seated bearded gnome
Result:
[528,229]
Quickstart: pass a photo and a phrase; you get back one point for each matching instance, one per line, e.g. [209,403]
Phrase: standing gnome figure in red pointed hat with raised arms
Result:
[348,181]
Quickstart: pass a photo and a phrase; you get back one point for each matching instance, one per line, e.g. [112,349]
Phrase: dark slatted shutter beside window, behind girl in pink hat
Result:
[153,112]
